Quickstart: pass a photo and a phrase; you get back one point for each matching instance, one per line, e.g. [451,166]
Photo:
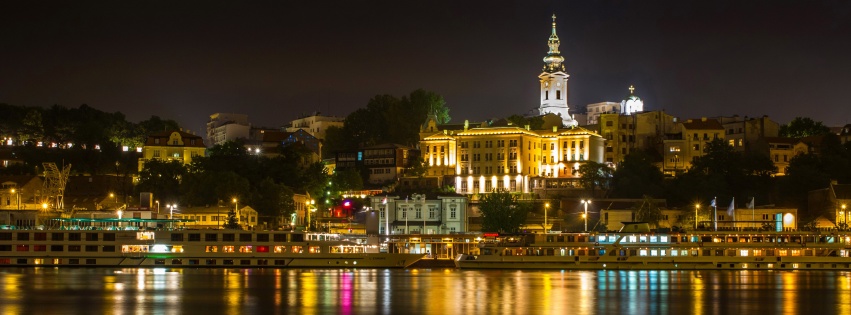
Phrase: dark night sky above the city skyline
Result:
[275,60]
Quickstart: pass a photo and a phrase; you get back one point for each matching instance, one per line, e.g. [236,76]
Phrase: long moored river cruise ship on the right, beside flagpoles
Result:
[642,249]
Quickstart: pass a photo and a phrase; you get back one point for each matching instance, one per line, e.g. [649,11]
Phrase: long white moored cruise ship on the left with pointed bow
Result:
[140,247]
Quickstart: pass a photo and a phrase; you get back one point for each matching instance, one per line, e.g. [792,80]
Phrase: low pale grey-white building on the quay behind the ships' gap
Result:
[416,214]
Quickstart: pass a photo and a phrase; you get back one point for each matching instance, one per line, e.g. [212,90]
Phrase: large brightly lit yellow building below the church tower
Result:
[508,157]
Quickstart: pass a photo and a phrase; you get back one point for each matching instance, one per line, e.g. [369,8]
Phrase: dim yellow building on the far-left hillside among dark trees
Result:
[172,146]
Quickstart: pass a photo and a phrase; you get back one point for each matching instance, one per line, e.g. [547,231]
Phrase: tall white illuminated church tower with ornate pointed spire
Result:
[554,82]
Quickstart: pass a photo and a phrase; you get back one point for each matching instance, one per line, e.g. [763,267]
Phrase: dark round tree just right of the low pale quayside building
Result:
[501,212]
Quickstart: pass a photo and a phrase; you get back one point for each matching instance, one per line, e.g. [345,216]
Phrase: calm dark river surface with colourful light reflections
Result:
[419,291]
